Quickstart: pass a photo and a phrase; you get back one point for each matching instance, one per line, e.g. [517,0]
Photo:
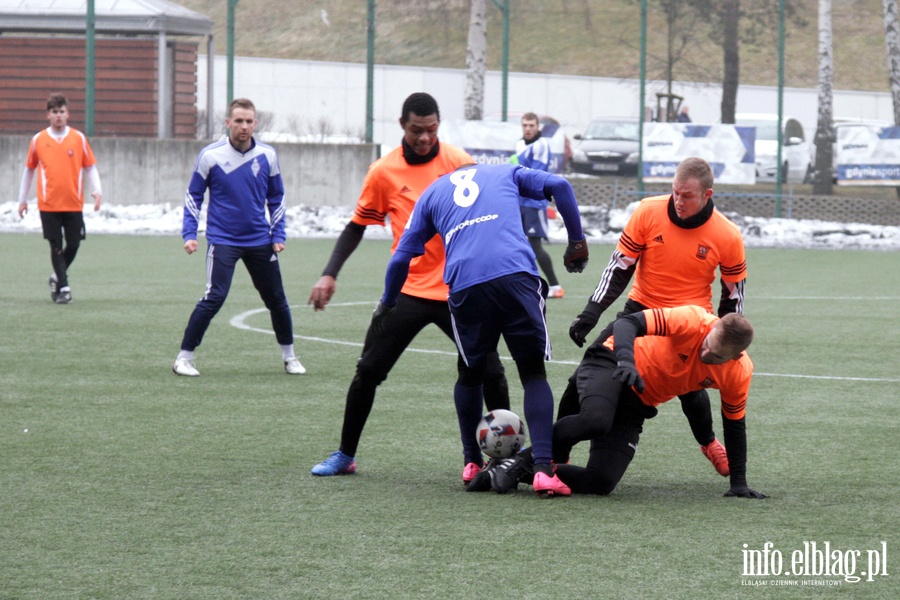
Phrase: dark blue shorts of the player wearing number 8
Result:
[511,306]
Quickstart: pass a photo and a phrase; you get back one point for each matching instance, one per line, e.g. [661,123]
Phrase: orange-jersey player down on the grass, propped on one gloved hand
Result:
[652,357]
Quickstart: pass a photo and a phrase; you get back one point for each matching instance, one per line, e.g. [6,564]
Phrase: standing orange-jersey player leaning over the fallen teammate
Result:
[672,245]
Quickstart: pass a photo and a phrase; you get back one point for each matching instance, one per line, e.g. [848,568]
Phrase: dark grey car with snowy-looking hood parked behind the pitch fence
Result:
[608,146]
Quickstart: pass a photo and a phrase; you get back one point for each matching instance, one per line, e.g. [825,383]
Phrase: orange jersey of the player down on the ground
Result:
[668,360]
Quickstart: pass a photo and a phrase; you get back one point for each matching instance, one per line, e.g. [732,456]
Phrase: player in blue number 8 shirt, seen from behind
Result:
[495,289]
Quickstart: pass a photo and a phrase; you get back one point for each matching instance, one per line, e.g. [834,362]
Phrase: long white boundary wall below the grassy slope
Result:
[301,93]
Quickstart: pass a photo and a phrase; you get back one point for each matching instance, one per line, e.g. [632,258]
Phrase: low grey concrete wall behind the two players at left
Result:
[144,171]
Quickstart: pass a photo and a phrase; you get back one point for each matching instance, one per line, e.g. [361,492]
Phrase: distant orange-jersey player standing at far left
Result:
[61,155]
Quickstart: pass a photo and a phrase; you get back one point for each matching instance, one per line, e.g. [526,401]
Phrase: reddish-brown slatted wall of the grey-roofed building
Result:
[125,84]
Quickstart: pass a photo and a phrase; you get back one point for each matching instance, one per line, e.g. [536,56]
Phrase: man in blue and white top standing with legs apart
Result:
[245,221]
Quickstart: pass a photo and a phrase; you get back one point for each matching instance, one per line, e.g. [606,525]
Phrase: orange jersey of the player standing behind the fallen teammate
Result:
[677,266]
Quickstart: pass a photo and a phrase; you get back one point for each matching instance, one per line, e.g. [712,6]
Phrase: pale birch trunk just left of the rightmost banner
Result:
[822,177]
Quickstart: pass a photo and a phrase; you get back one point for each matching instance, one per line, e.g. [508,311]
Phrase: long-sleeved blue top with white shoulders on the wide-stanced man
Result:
[242,185]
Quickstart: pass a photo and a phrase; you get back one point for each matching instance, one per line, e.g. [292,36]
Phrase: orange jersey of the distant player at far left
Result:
[60,185]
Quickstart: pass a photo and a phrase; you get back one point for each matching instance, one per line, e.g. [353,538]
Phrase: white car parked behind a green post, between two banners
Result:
[794,150]
